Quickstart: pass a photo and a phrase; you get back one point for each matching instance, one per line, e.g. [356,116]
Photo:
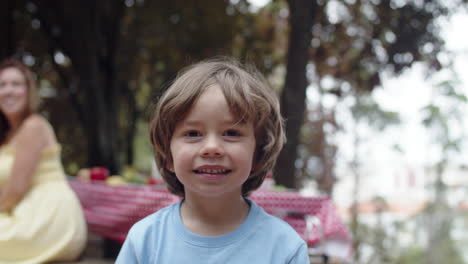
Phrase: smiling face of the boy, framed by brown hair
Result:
[212,153]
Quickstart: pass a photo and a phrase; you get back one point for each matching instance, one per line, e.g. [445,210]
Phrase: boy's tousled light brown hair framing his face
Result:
[250,99]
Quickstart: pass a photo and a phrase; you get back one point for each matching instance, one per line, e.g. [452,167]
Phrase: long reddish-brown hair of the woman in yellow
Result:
[31,105]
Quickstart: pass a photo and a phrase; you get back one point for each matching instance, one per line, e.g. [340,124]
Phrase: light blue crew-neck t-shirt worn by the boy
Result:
[163,239]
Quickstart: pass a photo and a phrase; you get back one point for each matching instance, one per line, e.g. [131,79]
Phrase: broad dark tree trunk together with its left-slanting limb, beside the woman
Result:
[87,32]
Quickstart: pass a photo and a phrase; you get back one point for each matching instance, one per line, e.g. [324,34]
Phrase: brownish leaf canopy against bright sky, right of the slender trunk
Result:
[354,41]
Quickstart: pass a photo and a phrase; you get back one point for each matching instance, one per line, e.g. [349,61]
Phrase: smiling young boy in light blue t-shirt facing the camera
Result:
[216,131]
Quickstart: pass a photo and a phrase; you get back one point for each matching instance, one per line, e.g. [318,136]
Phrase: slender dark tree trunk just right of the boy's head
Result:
[301,17]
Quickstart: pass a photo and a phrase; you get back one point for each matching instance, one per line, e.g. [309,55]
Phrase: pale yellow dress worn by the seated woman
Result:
[48,223]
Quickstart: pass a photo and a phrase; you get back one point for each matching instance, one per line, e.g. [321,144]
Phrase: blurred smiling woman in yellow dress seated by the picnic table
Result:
[41,219]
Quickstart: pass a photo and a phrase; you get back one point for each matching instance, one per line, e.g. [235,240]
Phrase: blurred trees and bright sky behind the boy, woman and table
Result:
[373,92]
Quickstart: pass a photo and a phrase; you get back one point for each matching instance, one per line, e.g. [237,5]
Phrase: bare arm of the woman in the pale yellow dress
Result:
[32,137]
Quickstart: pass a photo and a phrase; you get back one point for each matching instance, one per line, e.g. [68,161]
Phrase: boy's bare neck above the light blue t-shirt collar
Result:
[213,216]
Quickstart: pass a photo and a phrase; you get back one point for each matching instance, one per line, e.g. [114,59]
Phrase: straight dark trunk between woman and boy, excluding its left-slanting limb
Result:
[101,89]
